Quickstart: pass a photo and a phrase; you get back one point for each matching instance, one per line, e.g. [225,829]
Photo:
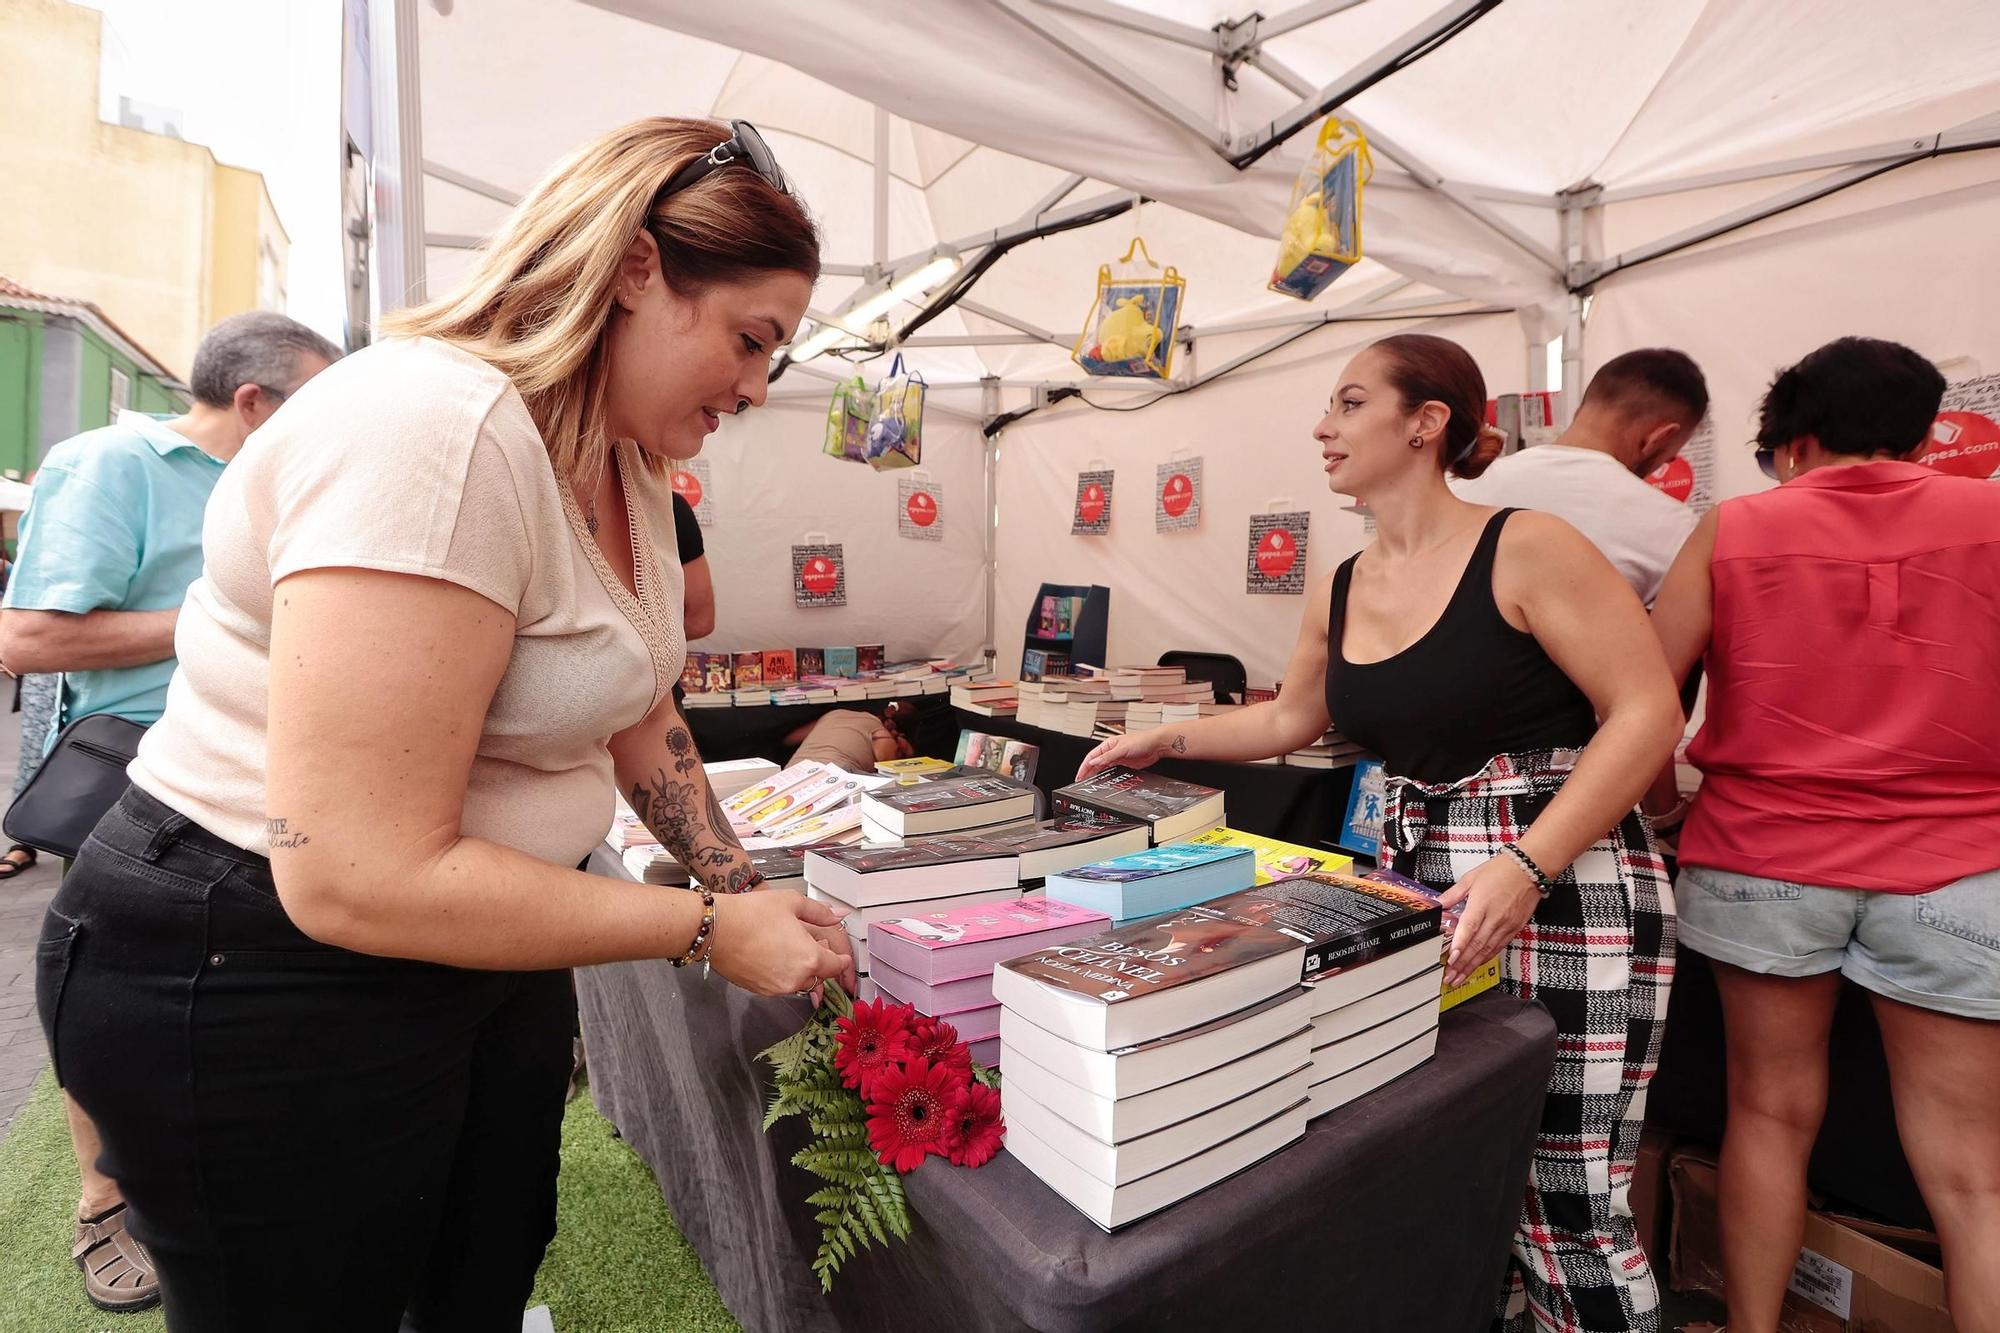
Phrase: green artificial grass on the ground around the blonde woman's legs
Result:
[617,1266]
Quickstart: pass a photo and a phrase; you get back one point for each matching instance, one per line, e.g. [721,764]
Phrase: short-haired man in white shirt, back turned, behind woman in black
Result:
[1637,415]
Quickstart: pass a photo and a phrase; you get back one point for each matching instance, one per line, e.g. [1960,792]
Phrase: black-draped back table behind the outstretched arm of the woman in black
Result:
[1281,802]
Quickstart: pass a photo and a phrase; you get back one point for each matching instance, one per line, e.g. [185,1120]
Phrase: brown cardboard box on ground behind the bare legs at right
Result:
[1845,1282]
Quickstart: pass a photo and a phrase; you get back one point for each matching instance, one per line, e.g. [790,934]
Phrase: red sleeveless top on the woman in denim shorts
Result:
[1853,732]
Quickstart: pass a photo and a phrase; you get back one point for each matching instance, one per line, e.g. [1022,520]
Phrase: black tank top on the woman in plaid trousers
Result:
[1469,690]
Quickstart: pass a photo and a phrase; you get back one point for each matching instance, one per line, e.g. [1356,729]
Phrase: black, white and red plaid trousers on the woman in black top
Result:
[1601,958]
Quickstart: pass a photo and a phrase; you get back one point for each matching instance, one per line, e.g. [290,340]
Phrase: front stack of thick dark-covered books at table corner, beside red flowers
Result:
[1155,1060]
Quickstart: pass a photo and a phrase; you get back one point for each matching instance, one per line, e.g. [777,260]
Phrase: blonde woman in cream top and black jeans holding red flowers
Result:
[309,974]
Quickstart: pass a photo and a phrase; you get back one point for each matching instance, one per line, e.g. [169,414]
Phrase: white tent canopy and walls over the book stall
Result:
[1531,155]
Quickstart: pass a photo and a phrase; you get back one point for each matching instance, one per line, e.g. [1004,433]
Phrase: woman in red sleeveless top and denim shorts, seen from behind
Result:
[1849,816]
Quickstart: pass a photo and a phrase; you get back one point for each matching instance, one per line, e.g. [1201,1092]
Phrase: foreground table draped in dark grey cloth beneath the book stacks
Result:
[1389,1216]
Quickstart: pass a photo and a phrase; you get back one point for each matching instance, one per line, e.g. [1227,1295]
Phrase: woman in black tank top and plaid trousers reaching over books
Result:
[1519,700]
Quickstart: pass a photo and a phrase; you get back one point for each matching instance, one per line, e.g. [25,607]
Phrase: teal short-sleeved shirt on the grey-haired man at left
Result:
[115,525]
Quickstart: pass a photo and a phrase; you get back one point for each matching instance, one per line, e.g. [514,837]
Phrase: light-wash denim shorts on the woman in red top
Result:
[1935,950]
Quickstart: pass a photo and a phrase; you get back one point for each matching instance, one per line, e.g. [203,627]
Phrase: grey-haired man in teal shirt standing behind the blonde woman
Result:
[109,547]
